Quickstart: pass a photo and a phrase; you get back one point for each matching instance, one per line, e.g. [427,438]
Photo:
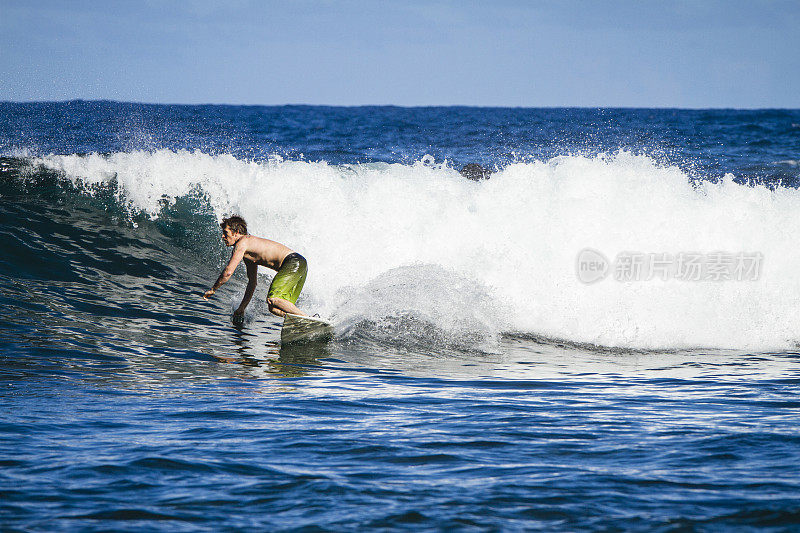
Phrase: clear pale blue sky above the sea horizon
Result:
[743,54]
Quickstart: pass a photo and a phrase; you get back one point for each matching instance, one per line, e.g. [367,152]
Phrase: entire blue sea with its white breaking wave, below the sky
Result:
[474,382]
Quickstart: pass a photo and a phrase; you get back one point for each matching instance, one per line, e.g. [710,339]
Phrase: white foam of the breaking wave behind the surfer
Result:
[376,234]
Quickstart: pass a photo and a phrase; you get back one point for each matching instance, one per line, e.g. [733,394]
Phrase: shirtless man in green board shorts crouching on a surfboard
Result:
[291,267]
